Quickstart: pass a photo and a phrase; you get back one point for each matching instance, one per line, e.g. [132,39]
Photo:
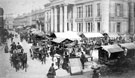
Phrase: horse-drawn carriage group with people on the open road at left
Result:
[18,58]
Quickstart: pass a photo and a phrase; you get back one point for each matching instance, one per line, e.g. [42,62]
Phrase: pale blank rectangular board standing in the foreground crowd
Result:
[75,65]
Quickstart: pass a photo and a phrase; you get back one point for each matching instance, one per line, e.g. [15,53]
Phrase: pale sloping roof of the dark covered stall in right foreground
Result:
[112,48]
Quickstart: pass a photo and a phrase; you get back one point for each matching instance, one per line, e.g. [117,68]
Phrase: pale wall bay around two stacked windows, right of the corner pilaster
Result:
[113,19]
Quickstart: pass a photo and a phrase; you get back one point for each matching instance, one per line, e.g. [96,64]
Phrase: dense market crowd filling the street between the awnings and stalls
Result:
[43,47]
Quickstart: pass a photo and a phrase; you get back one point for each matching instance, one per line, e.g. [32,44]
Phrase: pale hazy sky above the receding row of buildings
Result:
[15,7]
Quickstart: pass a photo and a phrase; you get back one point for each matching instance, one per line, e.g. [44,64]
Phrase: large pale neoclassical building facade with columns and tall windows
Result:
[112,16]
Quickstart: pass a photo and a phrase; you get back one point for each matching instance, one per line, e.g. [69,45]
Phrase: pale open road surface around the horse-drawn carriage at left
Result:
[35,68]
